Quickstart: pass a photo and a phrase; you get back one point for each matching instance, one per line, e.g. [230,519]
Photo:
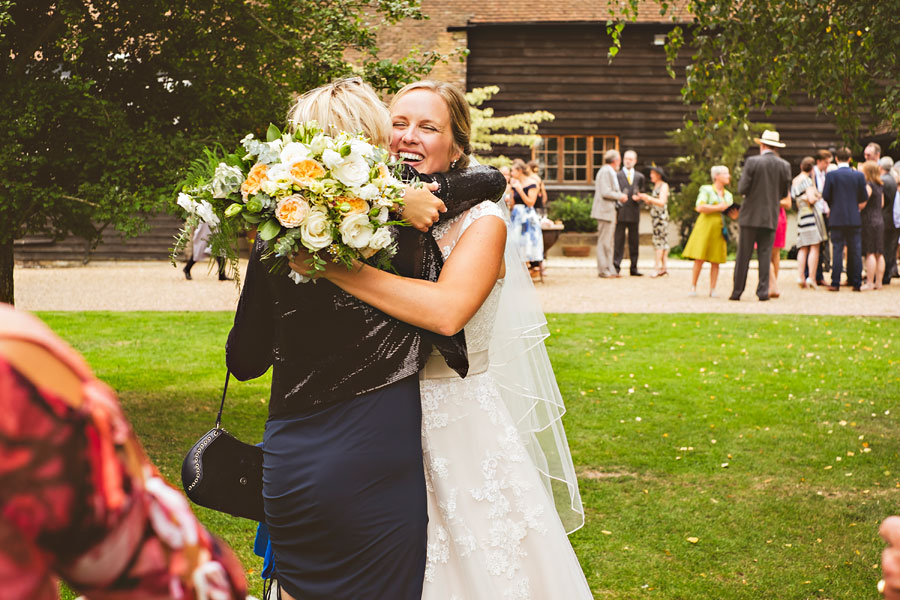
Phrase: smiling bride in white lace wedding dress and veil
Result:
[502,492]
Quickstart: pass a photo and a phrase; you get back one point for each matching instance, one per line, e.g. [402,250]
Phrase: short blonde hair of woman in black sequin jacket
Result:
[348,104]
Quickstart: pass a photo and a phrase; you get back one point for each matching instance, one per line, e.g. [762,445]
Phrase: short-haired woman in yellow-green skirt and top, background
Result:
[707,241]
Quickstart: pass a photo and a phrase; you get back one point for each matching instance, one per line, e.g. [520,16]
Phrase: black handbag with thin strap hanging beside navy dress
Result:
[223,473]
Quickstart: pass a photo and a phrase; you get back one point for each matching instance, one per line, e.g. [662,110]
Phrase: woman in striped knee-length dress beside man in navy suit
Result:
[810,224]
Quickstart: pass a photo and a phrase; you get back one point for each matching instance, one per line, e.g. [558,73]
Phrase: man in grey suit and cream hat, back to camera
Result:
[765,181]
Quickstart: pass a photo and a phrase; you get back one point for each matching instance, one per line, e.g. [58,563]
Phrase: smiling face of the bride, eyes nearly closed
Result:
[422,133]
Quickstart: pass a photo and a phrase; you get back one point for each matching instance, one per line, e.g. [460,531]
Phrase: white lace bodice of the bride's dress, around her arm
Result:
[480,327]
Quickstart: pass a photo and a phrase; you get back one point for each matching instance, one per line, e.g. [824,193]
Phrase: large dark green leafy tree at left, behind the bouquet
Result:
[106,99]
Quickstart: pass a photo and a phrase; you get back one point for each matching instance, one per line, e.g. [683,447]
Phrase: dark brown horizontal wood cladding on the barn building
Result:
[564,69]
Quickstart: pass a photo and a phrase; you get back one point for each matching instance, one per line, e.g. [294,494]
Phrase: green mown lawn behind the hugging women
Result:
[720,456]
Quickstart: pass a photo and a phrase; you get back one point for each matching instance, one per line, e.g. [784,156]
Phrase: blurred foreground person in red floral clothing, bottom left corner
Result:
[79,499]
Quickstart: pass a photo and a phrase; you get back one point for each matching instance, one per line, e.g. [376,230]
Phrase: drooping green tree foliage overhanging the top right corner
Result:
[752,54]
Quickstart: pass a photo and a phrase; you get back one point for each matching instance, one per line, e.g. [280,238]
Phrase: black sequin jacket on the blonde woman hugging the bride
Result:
[325,345]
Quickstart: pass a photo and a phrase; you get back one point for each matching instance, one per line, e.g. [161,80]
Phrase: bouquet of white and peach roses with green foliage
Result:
[331,195]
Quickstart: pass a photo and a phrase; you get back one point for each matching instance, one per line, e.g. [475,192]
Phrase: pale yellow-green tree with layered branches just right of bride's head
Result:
[512,130]
